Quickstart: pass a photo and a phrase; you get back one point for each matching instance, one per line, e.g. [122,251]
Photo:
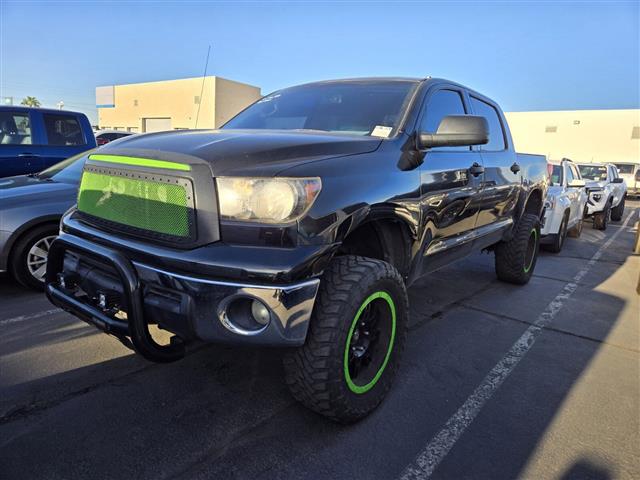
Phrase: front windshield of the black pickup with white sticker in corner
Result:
[350,107]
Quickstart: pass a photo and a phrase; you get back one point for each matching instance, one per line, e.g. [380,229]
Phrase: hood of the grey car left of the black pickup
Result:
[24,190]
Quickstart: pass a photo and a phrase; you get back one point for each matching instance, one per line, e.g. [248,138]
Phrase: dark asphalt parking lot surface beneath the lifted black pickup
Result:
[497,381]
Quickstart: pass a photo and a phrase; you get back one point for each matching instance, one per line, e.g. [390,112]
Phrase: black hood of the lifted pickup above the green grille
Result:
[247,152]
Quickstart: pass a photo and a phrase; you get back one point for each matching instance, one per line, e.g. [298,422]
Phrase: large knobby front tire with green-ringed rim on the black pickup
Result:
[360,299]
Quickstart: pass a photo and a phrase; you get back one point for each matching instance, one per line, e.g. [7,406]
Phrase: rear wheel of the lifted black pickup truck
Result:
[516,259]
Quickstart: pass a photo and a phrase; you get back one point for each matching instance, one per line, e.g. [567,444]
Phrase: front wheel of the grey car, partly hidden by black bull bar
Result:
[29,256]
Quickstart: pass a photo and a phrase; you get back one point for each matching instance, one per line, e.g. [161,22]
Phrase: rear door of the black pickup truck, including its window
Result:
[501,185]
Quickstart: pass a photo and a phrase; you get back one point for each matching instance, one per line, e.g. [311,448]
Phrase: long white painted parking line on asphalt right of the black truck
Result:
[434,452]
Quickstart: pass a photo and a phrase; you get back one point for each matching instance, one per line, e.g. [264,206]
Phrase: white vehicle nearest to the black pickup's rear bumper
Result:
[564,206]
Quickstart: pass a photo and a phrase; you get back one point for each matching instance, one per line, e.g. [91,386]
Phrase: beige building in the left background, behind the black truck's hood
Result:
[172,104]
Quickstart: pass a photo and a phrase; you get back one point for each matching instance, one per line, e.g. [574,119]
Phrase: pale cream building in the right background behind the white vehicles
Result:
[581,135]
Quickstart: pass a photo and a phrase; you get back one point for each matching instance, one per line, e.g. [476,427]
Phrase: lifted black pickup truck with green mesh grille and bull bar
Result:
[299,224]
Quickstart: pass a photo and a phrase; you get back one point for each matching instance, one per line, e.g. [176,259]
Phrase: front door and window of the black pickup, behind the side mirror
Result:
[450,192]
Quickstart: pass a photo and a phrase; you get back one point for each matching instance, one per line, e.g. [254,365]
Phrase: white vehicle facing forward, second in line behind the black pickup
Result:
[607,192]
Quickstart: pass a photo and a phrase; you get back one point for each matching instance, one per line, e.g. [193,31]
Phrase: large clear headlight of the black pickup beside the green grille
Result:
[266,200]
